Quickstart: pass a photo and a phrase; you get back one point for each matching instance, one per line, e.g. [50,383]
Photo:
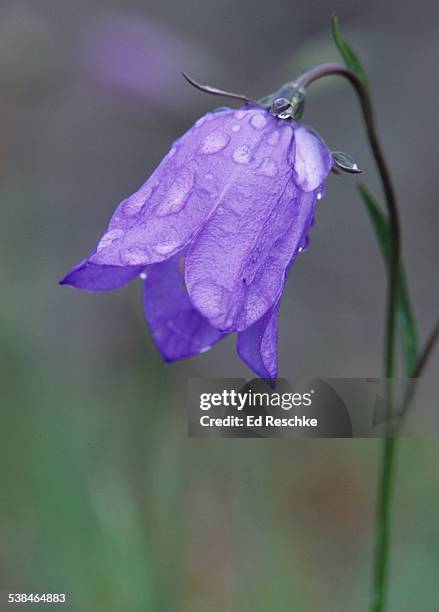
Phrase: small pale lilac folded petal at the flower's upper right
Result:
[313,160]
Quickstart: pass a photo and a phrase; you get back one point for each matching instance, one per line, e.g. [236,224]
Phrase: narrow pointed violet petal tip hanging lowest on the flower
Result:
[257,345]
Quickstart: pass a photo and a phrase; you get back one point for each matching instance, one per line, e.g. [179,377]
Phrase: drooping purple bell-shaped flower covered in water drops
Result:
[215,230]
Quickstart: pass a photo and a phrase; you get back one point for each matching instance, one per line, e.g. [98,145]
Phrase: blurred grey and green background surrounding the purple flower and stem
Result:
[102,495]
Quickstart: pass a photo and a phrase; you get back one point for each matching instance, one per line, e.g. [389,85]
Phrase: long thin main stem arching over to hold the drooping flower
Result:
[381,555]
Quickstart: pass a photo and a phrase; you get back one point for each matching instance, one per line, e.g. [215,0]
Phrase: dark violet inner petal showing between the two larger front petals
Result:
[178,329]
